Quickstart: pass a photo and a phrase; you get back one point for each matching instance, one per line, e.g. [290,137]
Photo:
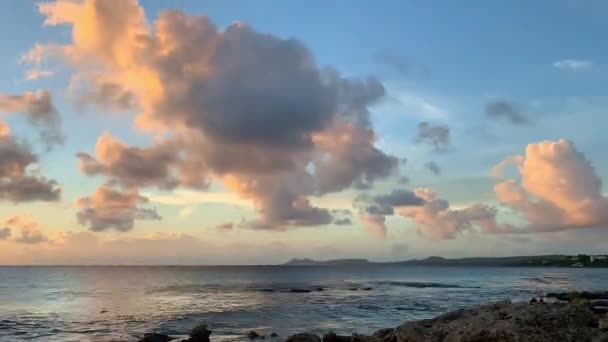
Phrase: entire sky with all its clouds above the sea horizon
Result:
[242,132]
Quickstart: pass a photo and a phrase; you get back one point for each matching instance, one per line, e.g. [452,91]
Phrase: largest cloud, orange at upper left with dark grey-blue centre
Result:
[251,110]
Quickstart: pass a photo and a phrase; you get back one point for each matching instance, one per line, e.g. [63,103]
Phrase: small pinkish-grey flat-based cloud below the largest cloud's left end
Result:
[110,208]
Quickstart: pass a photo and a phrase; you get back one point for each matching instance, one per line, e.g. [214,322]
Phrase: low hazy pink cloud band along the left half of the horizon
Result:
[87,248]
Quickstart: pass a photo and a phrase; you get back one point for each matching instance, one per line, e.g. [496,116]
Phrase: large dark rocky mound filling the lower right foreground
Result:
[501,322]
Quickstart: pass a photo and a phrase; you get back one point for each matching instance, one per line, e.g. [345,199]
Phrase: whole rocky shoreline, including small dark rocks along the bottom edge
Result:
[563,317]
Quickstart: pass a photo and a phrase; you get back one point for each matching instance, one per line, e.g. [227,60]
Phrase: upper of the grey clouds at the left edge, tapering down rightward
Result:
[39,109]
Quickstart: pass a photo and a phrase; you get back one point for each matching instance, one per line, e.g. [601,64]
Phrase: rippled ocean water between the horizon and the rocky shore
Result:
[121,303]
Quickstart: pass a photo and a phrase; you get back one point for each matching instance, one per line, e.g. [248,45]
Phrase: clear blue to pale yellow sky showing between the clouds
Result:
[439,62]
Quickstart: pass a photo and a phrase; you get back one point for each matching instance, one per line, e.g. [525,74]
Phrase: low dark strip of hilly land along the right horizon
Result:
[557,260]
